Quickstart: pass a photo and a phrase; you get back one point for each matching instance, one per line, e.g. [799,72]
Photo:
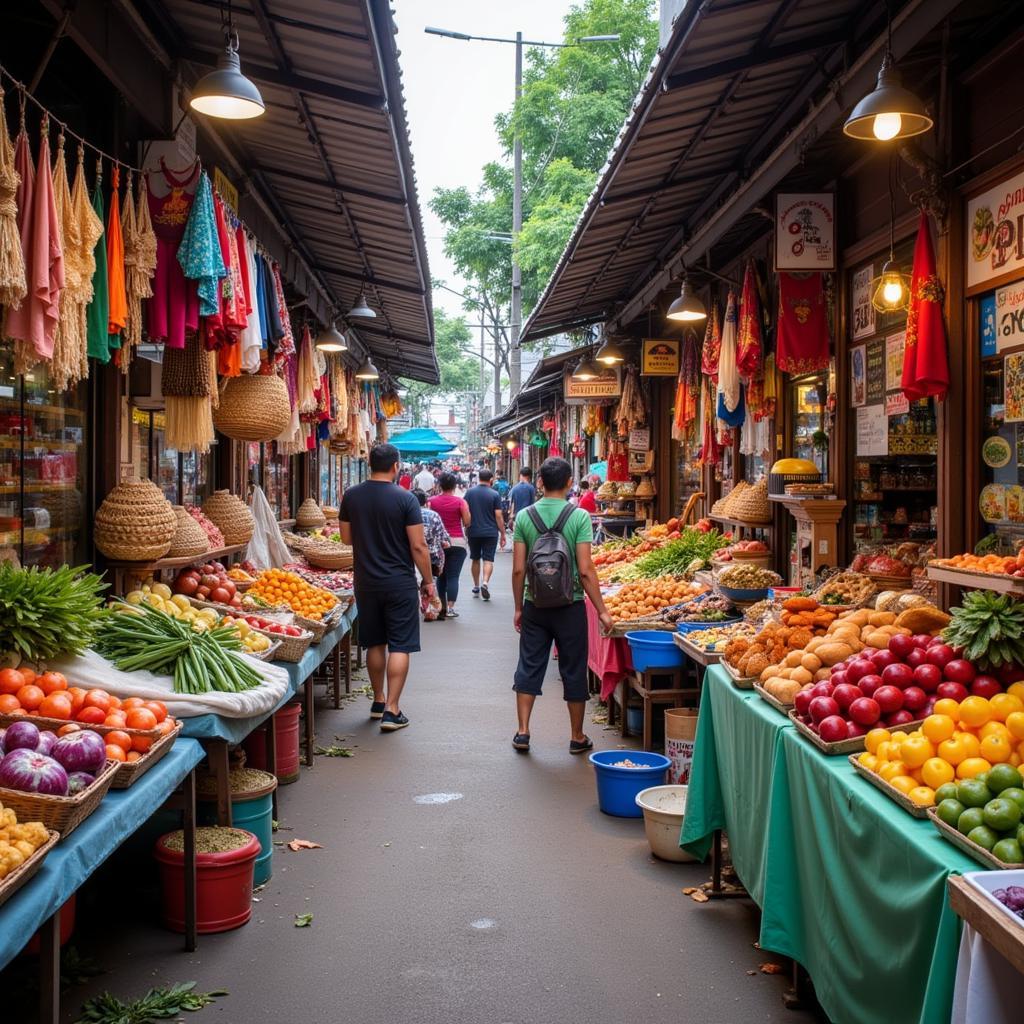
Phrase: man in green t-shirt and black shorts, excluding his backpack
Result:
[565,626]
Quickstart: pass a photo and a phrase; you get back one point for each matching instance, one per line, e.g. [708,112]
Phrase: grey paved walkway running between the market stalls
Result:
[515,903]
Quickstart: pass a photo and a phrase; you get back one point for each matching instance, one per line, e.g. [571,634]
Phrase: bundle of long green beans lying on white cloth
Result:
[146,638]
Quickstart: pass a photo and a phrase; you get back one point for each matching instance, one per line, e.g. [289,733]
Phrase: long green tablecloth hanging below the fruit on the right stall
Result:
[850,886]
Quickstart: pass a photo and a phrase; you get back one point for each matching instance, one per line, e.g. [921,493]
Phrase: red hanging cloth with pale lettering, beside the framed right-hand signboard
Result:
[926,367]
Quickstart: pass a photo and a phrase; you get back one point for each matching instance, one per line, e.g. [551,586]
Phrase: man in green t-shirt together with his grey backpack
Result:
[551,572]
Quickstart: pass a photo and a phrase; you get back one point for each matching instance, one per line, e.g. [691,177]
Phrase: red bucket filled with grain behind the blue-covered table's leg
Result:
[224,886]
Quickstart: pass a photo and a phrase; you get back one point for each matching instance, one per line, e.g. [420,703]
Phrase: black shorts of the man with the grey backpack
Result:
[567,627]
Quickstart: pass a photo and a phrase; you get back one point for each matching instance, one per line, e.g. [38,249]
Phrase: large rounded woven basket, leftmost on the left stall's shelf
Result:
[136,524]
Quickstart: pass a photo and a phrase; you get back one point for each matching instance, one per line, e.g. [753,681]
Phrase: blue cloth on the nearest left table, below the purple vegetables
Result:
[68,866]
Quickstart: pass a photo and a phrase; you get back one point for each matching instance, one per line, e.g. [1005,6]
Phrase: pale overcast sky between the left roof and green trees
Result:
[453,92]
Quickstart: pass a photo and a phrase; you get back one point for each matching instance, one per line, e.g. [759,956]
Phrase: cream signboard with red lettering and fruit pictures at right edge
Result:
[996,233]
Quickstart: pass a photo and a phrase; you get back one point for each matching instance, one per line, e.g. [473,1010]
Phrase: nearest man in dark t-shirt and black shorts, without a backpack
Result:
[383,525]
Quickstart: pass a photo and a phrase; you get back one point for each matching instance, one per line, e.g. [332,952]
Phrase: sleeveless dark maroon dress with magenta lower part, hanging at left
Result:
[175,308]
